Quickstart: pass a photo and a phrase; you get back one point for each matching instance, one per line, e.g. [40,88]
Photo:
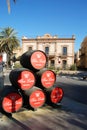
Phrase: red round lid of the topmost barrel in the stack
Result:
[38,60]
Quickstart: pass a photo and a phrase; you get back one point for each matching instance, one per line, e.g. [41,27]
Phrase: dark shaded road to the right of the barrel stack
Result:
[74,88]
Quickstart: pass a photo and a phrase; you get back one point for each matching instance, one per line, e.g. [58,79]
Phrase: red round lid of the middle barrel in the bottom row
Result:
[37,99]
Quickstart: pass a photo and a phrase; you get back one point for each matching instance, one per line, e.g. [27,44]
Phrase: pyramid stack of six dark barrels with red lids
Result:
[33,85]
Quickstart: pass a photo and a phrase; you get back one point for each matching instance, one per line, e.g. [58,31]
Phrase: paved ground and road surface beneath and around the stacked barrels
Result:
[71,114]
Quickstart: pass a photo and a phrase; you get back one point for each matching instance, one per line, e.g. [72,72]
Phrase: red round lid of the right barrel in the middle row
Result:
[48,78]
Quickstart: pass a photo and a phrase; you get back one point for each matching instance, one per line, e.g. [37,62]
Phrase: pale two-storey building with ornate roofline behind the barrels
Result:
[59,51]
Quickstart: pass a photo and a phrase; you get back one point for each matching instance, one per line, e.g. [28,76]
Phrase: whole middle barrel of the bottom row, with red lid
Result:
[34,97]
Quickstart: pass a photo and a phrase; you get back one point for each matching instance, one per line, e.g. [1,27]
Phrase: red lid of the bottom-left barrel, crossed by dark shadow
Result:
[12,102]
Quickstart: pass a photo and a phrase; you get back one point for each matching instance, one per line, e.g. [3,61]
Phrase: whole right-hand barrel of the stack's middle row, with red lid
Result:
[45,78]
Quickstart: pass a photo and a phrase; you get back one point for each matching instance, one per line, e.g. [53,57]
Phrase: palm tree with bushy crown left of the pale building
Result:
[8,42]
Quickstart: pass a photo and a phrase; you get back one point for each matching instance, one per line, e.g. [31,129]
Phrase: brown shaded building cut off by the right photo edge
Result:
[83,54]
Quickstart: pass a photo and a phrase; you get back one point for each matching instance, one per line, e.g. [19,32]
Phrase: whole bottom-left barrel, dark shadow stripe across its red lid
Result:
[10,99]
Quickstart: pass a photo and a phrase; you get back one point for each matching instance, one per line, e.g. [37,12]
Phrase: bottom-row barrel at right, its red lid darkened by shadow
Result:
[54,95]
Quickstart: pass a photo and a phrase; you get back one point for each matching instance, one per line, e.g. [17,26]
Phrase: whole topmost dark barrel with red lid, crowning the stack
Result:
[33,60]
